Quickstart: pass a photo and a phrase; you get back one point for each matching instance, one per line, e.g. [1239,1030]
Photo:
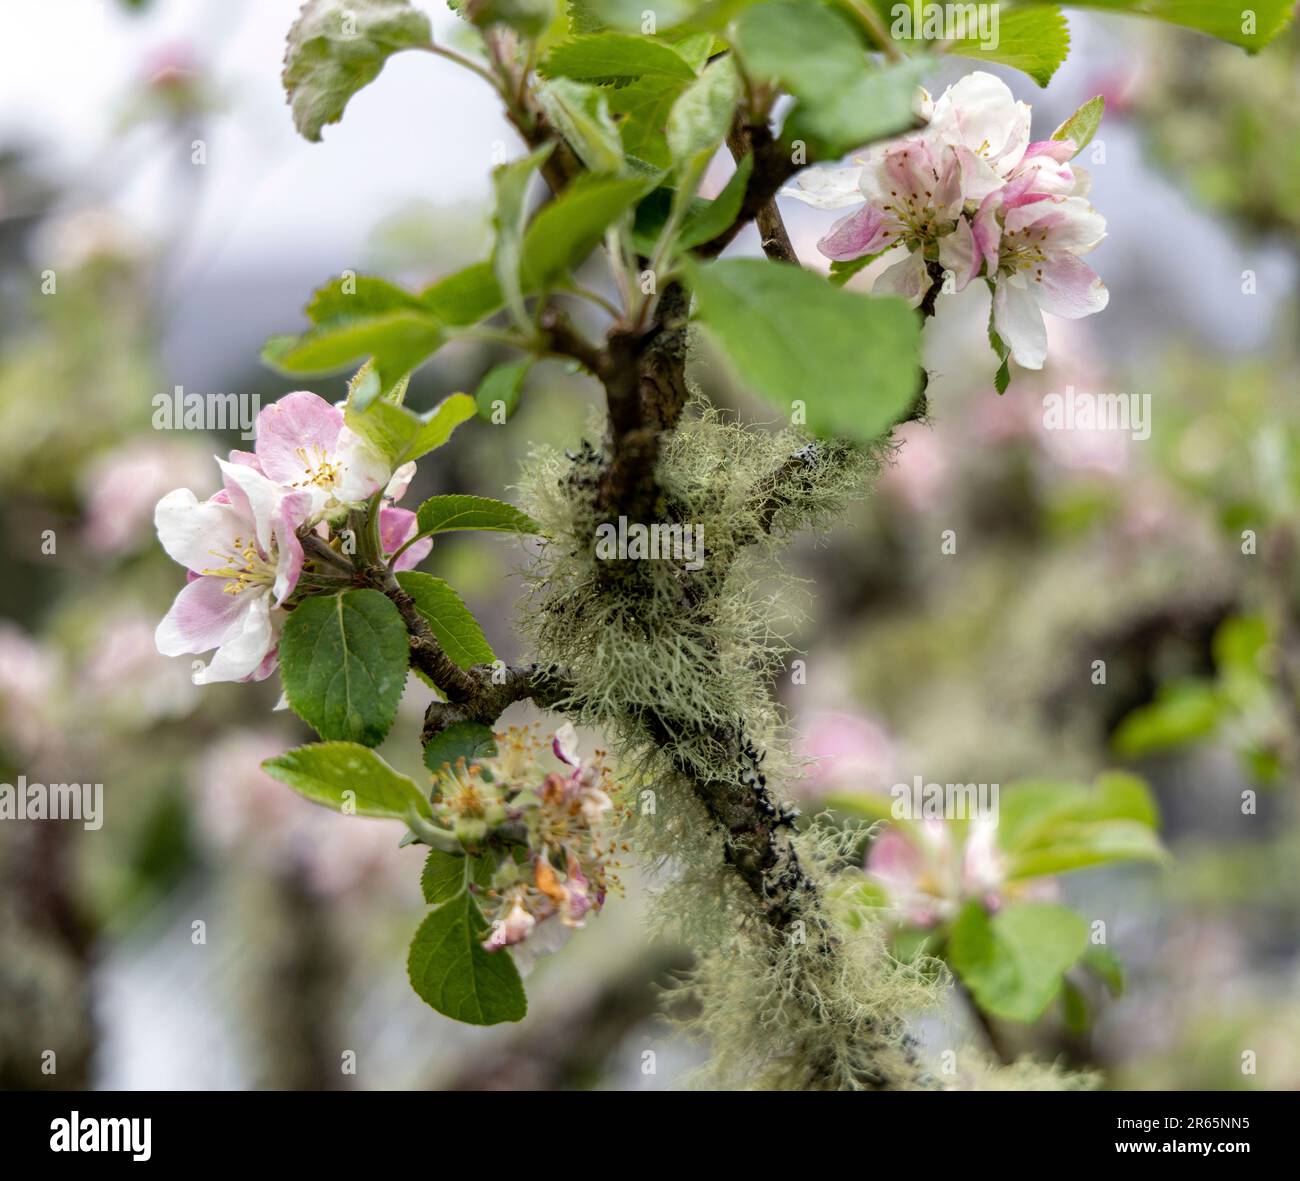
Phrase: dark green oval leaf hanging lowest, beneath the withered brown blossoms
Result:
[452,972]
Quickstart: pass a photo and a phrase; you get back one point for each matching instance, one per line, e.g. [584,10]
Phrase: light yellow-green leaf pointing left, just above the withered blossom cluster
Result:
[350,778]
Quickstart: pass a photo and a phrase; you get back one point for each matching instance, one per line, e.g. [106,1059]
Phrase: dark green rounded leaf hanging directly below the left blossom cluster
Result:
[344,663]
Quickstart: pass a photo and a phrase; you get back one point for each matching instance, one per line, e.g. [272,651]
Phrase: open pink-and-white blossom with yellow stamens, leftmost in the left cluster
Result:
[244,556]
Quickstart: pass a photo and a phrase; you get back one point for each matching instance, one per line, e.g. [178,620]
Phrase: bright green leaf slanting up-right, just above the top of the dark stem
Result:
[569,230]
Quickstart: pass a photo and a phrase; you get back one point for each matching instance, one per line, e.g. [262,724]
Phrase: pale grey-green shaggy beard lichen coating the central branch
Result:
[675,665]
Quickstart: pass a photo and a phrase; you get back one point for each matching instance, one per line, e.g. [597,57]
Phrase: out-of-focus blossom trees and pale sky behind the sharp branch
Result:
[1172,560]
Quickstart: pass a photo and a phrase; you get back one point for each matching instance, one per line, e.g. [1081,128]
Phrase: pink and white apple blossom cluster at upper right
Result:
[973,194]
